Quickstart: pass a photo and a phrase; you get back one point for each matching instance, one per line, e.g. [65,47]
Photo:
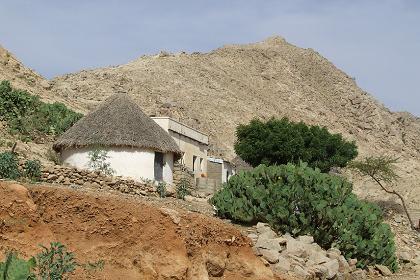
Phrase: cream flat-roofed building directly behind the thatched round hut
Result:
[192,143]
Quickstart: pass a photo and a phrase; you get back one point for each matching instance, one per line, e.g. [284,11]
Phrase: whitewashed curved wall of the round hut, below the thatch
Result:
[127,162]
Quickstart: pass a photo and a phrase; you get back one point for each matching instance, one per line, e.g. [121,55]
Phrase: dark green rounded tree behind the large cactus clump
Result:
[282,141]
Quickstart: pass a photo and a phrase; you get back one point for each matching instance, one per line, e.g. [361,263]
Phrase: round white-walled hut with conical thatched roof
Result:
[136,147]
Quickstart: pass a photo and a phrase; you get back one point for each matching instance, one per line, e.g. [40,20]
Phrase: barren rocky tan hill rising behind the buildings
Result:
[216,91]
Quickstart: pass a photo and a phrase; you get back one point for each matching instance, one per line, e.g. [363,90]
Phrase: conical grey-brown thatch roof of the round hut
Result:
[117,122]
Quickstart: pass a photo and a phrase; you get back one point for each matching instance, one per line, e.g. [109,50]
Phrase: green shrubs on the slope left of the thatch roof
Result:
[28,116]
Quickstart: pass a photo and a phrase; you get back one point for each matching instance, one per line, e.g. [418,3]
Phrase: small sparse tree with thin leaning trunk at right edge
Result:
[382,170]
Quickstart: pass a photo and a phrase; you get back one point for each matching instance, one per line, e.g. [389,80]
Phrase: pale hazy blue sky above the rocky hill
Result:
[375,41]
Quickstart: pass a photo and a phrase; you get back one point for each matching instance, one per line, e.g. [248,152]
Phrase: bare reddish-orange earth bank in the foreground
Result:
[136,240]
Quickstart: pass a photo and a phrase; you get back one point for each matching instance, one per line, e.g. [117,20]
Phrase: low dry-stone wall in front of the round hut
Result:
[94,179]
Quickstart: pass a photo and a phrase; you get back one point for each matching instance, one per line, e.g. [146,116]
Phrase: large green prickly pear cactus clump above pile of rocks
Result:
[301,200]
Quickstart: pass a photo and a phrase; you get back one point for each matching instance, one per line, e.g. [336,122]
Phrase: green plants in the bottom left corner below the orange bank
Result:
[54,262]
